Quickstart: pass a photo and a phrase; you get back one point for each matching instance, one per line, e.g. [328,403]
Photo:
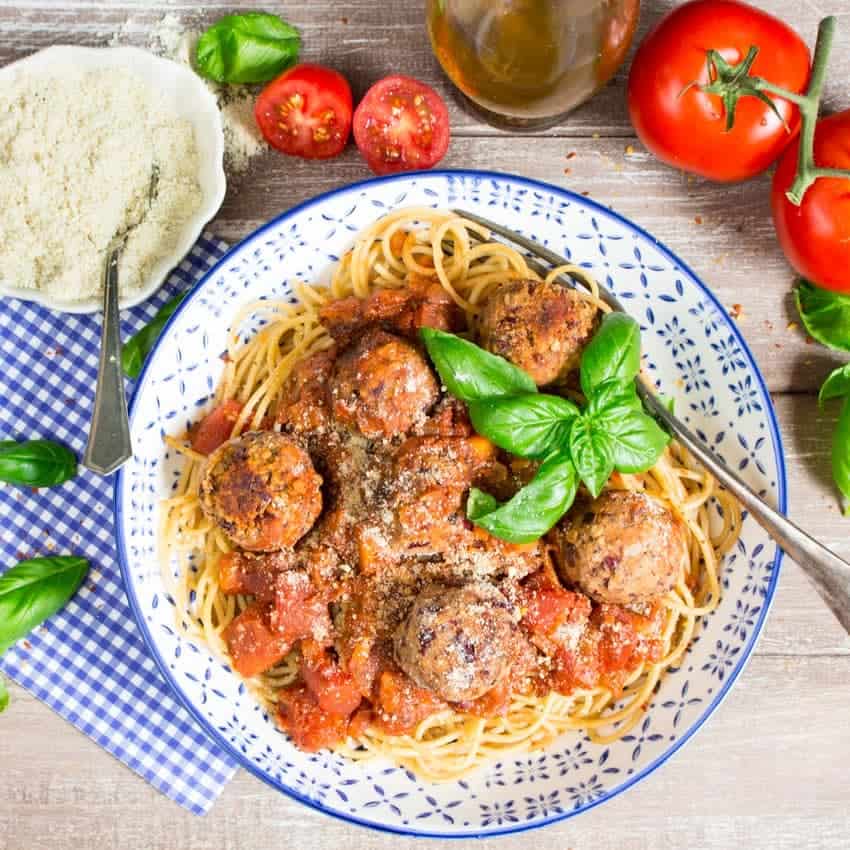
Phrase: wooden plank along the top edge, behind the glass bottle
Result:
[366,40]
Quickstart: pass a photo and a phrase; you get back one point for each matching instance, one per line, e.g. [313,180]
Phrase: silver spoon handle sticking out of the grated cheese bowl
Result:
[109,442]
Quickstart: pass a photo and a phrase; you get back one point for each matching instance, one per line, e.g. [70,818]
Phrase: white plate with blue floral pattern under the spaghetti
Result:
[695,354]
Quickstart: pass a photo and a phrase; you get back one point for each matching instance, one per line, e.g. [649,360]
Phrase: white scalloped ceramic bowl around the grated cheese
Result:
[190,99]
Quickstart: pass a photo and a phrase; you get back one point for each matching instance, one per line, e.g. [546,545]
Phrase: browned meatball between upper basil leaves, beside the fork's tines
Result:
[540,327]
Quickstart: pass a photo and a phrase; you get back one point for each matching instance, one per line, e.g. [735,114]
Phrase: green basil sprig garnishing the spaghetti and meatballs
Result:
[611,432]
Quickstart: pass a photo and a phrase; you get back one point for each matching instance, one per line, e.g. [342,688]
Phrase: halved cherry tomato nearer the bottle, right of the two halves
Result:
[401,125]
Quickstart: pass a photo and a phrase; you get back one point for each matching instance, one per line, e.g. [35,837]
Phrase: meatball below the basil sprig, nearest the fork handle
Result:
[625,548]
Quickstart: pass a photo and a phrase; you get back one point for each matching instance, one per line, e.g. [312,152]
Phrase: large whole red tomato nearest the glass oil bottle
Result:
[686,127]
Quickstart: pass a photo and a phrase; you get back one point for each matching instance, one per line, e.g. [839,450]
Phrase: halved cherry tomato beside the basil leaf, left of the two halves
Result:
[306,112]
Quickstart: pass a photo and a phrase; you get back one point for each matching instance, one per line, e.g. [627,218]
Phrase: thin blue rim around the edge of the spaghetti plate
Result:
[242,759]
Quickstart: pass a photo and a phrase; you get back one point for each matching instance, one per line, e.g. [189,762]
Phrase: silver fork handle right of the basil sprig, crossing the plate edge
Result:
[829,573]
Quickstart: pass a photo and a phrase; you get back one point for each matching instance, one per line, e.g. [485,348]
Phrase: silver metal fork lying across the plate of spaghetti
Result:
[829,573]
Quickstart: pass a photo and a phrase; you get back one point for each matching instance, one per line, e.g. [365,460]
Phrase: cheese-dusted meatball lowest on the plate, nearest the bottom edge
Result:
[456,641]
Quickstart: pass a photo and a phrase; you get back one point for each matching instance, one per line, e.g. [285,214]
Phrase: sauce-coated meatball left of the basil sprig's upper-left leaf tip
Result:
[382,386]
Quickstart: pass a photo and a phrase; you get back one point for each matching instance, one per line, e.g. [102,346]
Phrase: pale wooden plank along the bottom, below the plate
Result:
[769,770]
